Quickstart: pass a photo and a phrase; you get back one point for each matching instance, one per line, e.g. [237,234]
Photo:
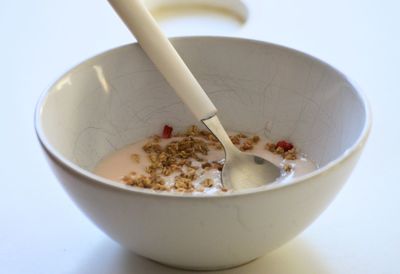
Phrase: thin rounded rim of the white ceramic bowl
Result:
[72,167]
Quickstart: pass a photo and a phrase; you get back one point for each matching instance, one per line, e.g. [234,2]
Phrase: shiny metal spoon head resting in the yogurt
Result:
[248,171]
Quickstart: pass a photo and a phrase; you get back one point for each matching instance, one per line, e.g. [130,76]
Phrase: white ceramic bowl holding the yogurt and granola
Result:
[118,97]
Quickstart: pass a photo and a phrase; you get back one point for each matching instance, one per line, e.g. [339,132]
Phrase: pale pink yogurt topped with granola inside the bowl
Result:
[147,159]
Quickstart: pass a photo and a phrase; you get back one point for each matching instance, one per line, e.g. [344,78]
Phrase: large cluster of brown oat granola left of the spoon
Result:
[176,158]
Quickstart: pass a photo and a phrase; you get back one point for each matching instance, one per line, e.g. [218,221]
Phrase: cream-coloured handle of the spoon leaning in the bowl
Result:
[159,49]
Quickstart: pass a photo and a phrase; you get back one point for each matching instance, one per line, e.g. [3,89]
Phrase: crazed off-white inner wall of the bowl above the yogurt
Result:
[119,97]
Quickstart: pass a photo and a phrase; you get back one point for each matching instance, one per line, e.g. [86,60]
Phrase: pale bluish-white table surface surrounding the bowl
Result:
[42,231]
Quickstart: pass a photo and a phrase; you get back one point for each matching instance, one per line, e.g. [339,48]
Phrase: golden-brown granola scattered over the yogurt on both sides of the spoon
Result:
[191,161]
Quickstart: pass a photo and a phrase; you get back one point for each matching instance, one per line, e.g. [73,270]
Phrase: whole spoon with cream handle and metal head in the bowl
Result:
[241,170]
